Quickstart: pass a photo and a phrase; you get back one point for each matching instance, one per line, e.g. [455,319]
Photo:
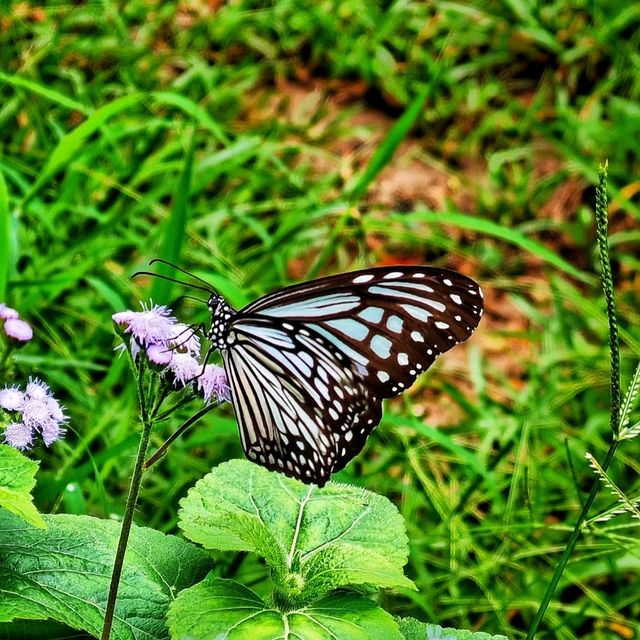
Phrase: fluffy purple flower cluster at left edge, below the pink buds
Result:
[32,411]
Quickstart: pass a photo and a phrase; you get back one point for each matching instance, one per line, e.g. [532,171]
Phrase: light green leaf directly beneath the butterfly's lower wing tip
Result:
[314,540]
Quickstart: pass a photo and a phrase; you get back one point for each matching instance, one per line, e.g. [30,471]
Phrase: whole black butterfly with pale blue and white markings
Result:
[309,365]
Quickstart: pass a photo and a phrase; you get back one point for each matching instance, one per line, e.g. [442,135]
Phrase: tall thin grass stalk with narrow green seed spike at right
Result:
[614,347]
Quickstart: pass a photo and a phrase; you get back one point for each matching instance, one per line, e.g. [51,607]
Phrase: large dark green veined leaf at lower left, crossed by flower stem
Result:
[63,573]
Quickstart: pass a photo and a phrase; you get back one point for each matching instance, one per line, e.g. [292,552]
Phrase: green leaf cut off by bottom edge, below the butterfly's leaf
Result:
[218,608]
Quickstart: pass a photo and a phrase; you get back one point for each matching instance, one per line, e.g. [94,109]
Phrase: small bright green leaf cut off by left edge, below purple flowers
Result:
[17,479]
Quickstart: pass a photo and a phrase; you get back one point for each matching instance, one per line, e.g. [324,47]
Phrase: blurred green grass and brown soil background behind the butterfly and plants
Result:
[259,144]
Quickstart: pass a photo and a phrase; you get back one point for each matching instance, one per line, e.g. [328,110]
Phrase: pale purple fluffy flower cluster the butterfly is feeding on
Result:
[173,346]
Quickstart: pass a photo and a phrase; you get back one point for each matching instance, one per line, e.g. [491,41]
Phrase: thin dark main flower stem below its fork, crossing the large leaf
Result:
[132,499]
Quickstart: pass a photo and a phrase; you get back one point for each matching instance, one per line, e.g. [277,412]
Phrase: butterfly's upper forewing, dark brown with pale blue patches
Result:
[391,323]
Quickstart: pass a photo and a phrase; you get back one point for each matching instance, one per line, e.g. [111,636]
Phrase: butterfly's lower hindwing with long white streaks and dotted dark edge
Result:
[302,407]
